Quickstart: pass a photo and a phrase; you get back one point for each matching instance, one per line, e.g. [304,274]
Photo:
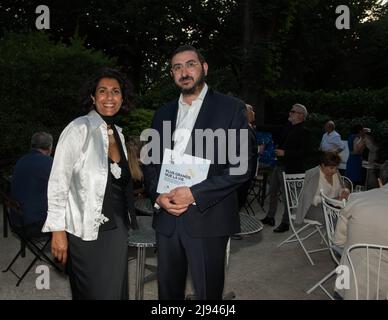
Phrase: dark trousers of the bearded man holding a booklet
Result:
[205,257]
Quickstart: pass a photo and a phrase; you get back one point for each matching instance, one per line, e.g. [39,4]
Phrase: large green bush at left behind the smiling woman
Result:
[39,84]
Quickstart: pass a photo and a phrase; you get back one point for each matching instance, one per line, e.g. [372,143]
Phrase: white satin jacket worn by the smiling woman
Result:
[78,178]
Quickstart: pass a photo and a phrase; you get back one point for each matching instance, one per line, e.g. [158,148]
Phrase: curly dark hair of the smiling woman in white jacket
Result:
[89,89]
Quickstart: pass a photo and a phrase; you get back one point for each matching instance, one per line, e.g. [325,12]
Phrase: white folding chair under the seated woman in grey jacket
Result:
[293,184]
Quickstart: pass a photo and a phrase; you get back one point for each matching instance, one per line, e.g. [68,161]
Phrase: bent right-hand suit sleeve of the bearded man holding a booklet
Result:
[212,190]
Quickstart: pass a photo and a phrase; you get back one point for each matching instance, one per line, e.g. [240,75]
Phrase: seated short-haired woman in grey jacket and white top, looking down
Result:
[324,177]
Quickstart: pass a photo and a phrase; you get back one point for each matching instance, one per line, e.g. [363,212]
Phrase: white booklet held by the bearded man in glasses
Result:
[181,170]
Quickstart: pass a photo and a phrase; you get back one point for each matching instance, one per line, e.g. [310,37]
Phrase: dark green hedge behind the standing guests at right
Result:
[346,108]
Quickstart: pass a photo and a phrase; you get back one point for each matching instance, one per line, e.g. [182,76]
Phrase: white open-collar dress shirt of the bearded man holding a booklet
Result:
[186,117]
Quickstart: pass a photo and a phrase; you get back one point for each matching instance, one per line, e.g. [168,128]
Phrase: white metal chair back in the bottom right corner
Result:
[369,269]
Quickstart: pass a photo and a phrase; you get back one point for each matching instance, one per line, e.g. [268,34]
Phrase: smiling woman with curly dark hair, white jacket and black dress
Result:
[90,204]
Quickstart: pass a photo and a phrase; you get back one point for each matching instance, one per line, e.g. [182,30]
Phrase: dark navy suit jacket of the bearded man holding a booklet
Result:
[216,210]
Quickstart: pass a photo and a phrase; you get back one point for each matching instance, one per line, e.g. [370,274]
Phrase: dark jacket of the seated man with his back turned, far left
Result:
[29,185]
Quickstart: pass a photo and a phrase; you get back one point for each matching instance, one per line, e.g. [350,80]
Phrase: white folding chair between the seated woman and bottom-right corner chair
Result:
[331,211]
